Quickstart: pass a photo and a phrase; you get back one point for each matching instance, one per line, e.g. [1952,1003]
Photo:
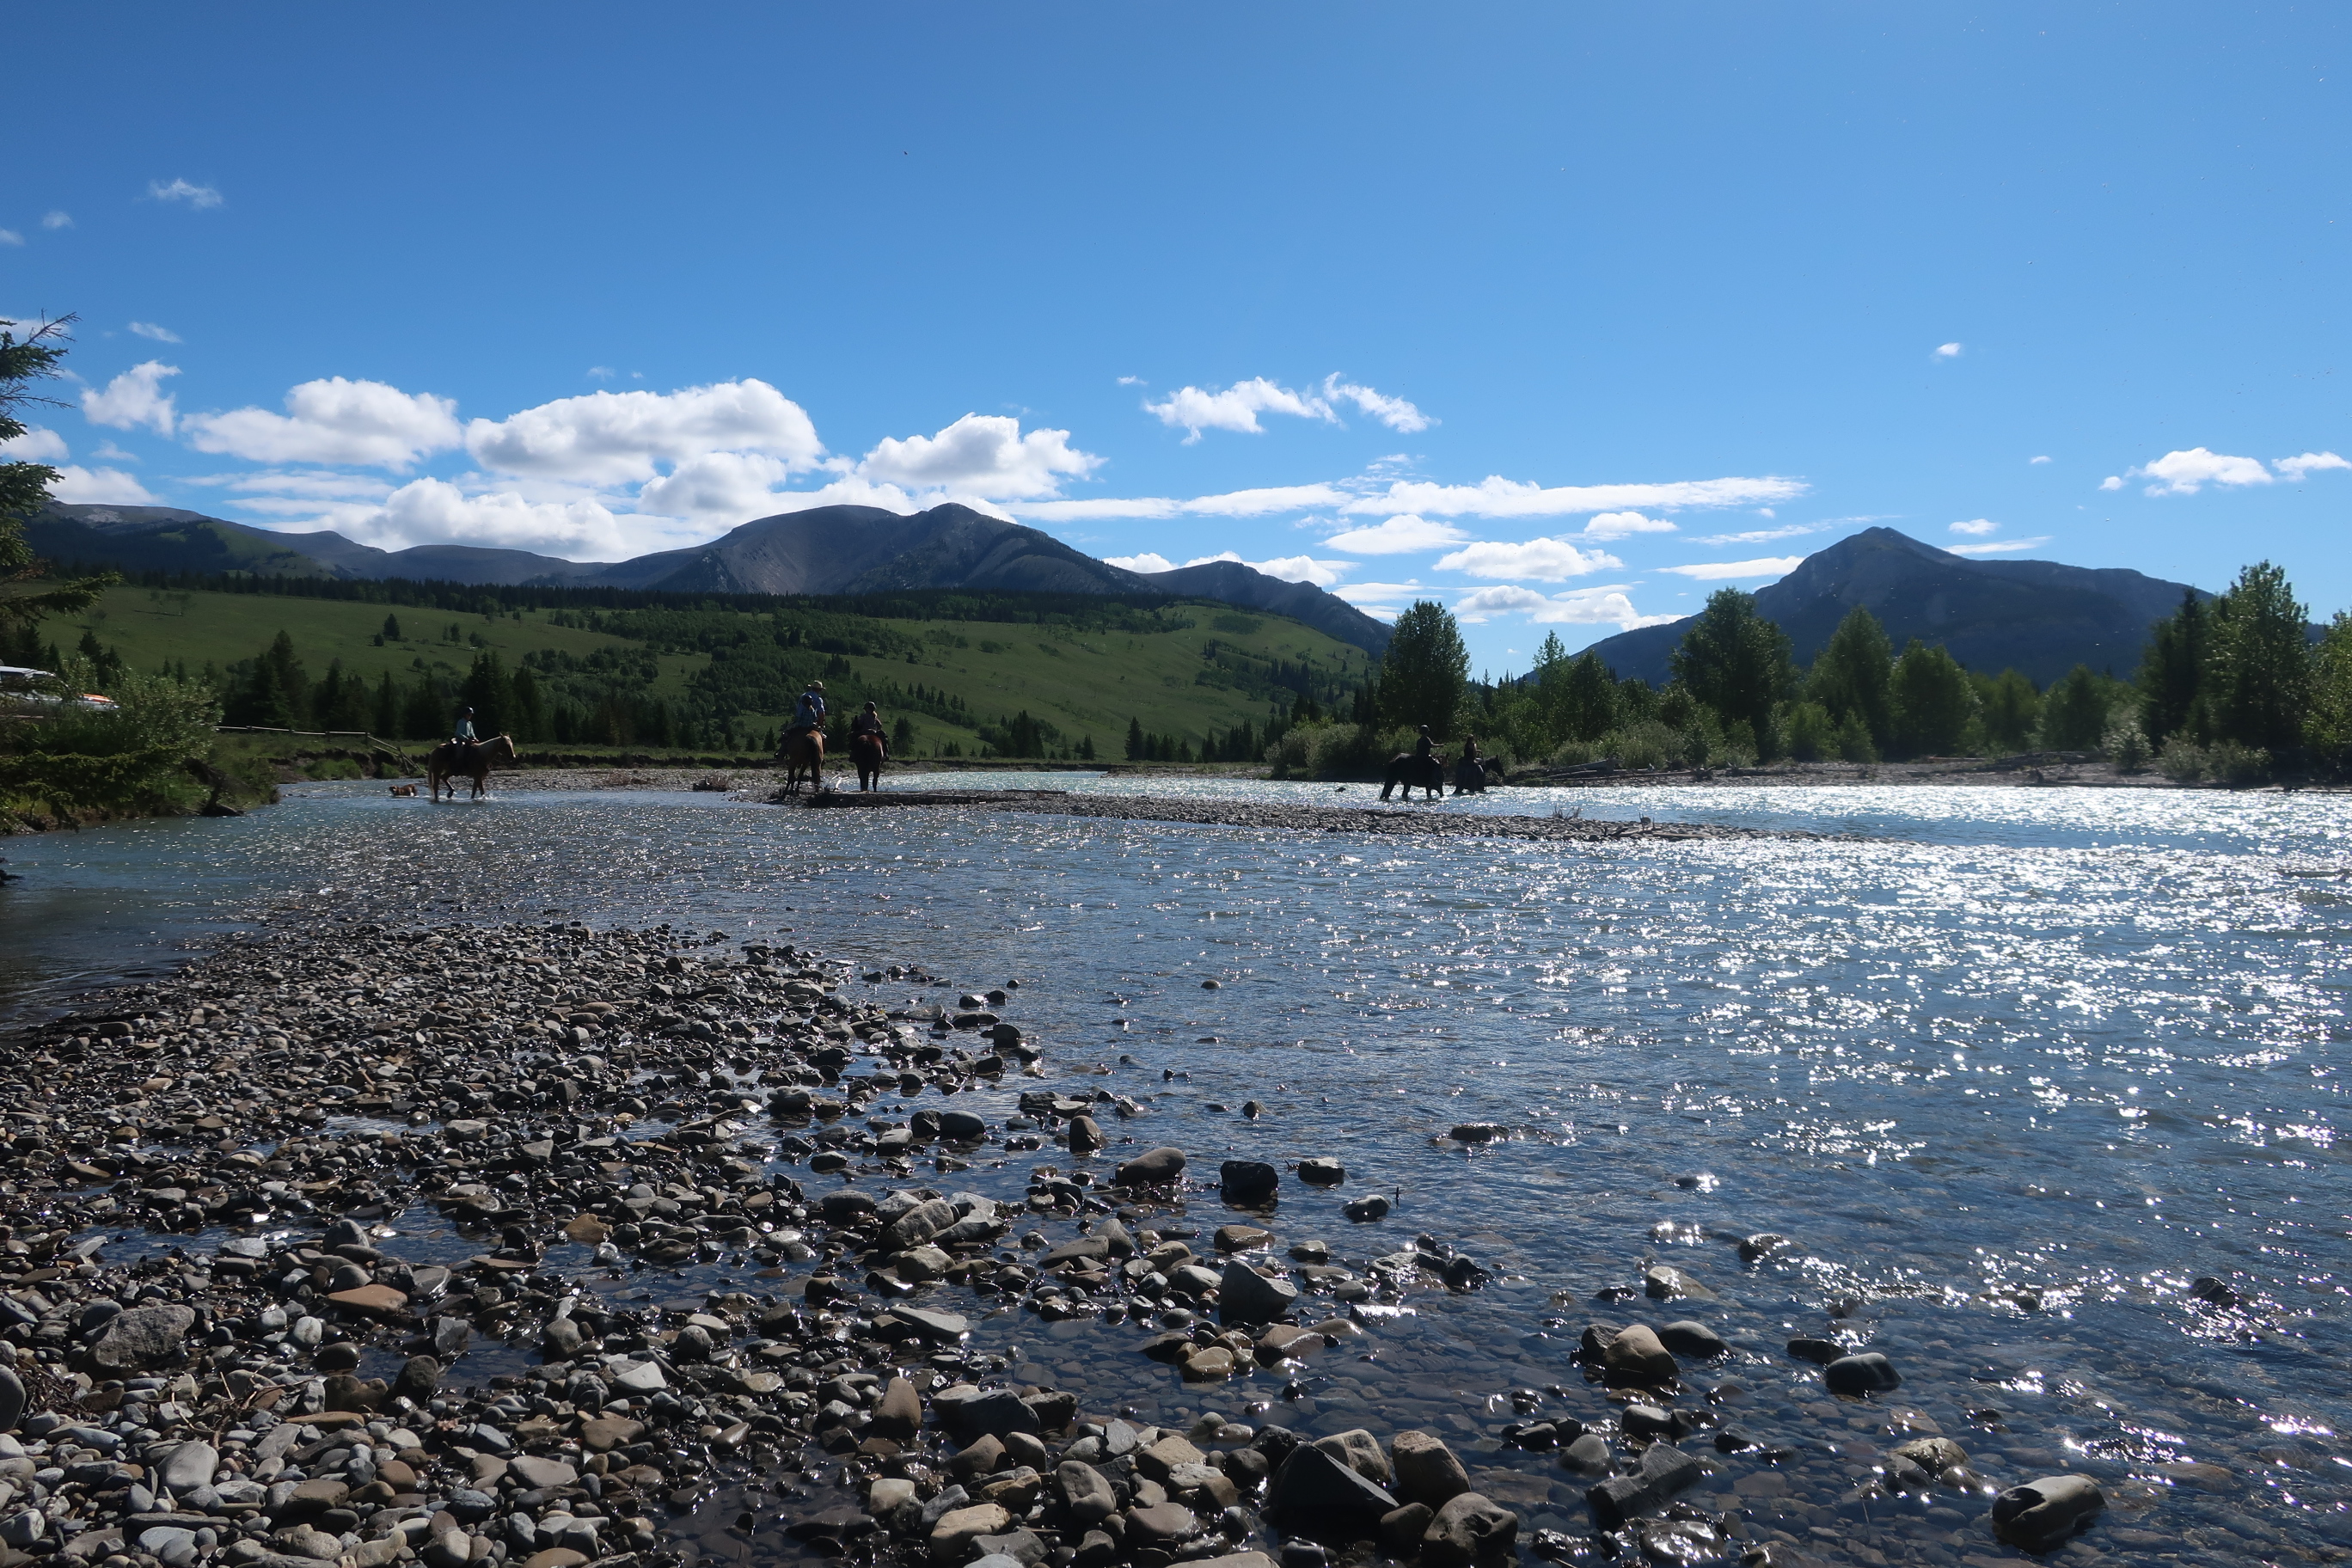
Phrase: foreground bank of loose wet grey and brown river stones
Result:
[554,1247]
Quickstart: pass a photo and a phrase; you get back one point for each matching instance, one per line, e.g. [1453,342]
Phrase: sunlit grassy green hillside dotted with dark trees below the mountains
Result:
[726,674]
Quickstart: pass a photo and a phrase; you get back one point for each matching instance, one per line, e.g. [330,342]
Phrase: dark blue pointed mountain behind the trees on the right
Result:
[2033,617]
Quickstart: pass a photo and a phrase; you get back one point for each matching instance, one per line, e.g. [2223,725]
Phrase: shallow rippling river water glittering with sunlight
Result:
[2012,1068]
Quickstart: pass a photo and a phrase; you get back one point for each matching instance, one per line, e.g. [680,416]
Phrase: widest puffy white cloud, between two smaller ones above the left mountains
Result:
[620,438]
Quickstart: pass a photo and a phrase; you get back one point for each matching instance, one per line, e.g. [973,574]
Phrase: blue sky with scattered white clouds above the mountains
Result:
[1561,316]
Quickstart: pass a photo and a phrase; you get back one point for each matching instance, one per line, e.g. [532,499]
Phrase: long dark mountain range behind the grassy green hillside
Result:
[822,551]
